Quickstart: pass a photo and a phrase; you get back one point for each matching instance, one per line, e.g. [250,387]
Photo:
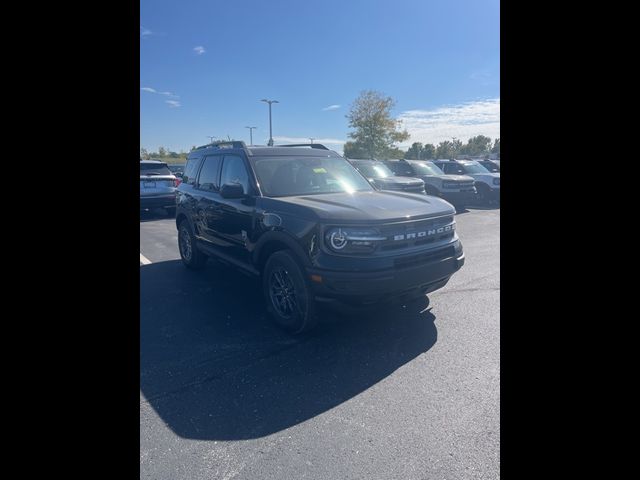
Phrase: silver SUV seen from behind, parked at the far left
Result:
[157,186]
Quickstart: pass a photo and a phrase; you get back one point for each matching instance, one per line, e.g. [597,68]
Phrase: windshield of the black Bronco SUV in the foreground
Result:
[287,176]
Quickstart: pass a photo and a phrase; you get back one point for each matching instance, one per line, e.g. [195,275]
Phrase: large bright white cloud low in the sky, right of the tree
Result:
[463,121]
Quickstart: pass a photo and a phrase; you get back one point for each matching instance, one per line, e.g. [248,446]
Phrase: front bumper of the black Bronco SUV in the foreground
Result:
[421,277]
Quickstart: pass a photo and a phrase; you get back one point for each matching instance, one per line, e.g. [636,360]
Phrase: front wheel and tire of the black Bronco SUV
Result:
[287,293]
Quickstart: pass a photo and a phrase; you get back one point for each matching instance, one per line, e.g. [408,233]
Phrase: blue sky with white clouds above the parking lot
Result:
[205,65]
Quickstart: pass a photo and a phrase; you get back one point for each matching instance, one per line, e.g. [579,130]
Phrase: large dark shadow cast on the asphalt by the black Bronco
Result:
[213,367]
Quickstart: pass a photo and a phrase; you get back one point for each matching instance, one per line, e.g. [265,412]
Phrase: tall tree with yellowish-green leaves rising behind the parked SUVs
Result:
[375,131]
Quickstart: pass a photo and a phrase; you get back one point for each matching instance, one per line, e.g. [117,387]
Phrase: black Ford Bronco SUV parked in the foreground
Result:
[306,221]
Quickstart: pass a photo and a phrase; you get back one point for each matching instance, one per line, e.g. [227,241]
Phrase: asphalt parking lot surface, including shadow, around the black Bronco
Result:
[404,392]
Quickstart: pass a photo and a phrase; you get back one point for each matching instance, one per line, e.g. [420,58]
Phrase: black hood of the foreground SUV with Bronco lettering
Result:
[369,206]
